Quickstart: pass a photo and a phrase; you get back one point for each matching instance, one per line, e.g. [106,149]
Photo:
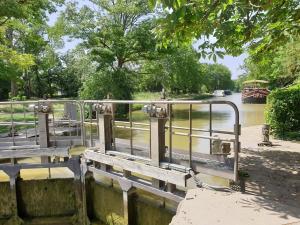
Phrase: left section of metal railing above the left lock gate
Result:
[24,117]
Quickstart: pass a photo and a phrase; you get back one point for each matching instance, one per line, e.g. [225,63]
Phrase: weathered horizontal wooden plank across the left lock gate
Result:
[27,153]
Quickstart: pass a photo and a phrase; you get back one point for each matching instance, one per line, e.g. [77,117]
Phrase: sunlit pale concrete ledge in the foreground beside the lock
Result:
[202,207]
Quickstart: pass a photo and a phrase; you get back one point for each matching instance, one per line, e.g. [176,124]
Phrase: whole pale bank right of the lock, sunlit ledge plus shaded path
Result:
[272,189]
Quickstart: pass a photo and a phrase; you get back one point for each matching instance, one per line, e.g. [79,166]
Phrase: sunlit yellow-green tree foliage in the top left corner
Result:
[17,19]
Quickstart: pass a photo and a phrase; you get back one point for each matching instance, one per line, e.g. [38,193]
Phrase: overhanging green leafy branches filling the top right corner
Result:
[229,25]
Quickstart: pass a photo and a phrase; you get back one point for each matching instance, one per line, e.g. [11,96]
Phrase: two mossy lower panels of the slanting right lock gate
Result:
[106,204]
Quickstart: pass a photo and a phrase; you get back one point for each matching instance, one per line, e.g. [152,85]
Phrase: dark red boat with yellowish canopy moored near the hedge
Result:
[255,92]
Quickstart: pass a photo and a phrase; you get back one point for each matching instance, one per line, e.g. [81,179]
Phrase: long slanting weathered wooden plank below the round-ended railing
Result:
[170,176]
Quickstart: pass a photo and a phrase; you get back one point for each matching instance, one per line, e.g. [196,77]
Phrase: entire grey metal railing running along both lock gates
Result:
[84,105]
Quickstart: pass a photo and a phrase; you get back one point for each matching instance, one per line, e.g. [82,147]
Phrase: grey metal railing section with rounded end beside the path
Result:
[130,125]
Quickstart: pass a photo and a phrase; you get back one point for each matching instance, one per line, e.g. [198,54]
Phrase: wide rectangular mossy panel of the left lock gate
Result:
[46,198]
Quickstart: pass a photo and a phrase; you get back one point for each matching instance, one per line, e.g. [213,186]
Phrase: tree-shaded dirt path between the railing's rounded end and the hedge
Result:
[274,171]
